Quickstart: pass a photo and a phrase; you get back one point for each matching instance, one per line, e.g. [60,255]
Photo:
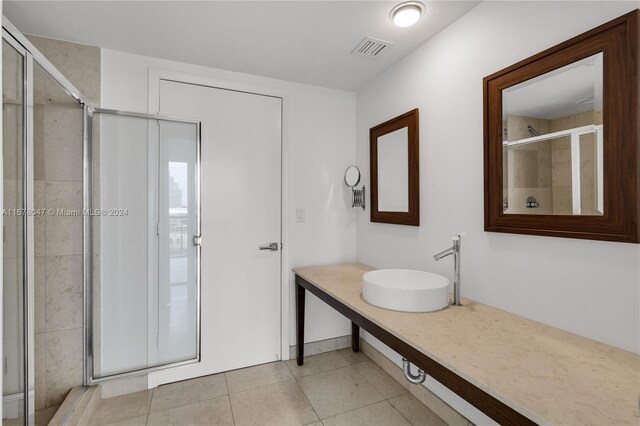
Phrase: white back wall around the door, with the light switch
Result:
[321,134]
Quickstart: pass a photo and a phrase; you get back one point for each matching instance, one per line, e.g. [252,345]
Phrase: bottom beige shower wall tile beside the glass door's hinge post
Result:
[64,363]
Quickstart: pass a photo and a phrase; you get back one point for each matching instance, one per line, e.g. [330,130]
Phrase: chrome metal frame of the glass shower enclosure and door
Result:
[31,54]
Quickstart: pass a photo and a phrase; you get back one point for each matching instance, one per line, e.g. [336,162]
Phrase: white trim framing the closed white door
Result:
[156,75]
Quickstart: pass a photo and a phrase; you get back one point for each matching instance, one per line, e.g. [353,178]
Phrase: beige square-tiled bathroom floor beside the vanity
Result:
[333,388]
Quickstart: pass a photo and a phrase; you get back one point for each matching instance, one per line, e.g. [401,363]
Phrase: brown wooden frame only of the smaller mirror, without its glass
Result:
[412,217]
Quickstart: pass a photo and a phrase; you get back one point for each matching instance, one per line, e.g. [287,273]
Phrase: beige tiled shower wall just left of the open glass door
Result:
[58,173]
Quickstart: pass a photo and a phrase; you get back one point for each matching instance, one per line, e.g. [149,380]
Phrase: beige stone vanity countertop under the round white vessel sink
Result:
[549,375]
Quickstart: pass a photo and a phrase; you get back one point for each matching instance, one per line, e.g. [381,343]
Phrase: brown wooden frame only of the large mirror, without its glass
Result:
[618,40]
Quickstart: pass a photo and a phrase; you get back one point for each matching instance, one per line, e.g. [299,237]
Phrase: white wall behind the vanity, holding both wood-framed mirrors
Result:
[586,287]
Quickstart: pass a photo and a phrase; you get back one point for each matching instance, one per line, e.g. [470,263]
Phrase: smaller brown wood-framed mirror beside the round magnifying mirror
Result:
[395,175]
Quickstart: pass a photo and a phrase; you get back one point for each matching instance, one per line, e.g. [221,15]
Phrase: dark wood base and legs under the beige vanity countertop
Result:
[497,410]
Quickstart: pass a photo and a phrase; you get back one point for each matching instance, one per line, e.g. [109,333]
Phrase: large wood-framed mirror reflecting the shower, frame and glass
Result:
[561,140]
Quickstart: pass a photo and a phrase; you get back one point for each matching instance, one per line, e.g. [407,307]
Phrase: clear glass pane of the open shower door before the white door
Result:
[145,299]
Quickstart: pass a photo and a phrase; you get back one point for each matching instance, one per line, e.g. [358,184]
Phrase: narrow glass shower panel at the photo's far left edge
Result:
[18,379]
